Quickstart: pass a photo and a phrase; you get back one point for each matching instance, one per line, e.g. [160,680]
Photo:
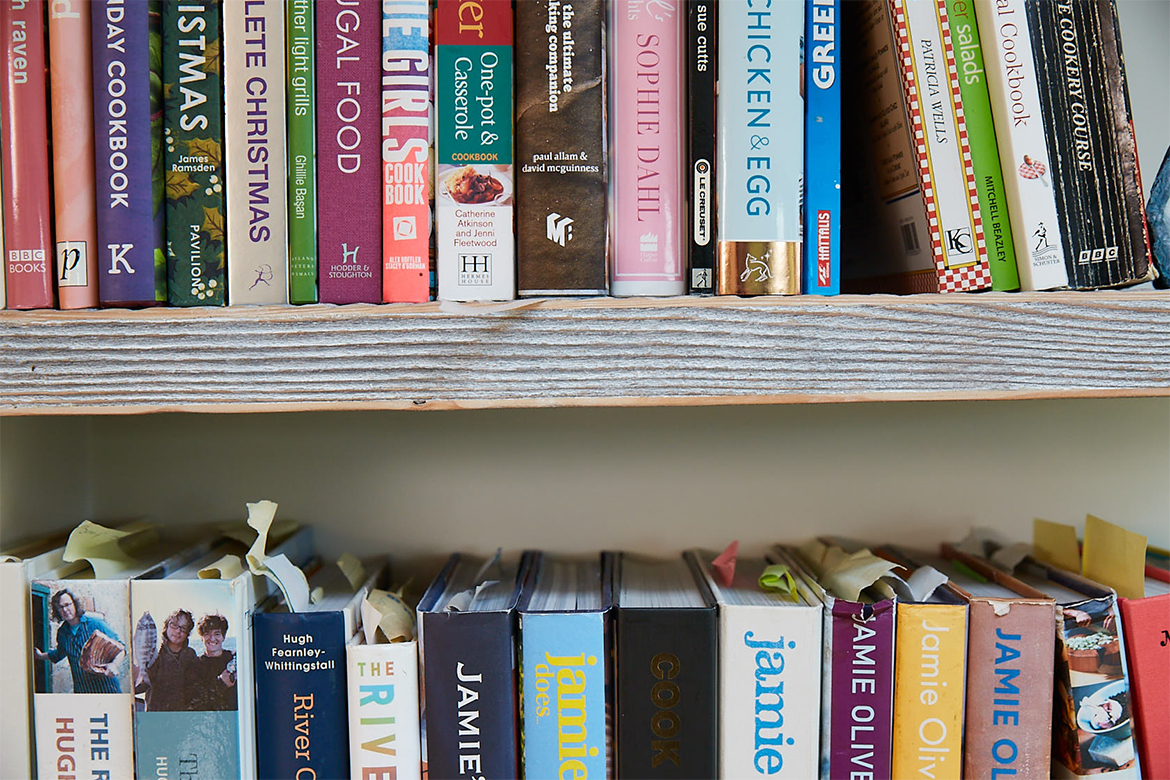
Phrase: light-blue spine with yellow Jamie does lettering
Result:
[563,687]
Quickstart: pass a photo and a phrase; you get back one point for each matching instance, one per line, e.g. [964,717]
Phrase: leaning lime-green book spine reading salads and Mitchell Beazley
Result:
[981,135]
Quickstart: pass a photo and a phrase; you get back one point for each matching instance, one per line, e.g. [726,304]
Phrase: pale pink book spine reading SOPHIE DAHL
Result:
[648,206]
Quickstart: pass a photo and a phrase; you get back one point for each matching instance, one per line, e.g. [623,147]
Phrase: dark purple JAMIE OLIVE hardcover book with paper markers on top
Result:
[858,664]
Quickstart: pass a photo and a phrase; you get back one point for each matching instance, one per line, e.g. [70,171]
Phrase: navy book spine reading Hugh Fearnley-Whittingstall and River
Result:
[302,722]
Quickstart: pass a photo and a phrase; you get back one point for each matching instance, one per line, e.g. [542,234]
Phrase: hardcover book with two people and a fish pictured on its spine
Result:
[192,664]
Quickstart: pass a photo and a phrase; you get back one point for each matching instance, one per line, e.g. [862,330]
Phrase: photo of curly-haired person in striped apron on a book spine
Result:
[84,634]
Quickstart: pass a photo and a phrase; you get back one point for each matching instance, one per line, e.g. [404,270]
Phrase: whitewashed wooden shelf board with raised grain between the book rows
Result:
[593,353]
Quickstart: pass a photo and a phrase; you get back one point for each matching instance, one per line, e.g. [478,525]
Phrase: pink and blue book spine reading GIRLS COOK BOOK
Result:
[405,150]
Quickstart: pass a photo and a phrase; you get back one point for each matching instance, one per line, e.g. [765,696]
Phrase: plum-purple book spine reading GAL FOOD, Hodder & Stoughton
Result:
[349,151]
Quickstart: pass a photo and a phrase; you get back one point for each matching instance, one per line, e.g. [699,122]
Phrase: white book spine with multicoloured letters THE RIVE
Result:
[384,712]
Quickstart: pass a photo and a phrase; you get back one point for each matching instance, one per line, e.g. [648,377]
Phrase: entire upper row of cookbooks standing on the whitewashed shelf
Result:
[341,150]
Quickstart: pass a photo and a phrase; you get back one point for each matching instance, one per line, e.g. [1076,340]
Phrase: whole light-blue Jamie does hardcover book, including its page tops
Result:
[566,667]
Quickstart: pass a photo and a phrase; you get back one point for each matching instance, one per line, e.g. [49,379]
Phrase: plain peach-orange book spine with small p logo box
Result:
[74,189]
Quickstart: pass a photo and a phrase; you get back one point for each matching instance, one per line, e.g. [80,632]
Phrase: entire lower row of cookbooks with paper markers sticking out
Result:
[825,660]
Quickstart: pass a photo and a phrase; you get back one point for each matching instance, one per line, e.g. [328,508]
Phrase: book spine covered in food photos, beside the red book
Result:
[1085,680]
